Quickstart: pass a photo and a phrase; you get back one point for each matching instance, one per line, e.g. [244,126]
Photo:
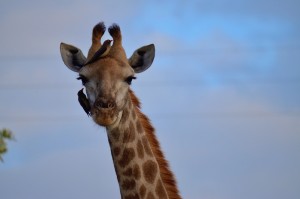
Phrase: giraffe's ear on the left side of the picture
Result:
[72,57]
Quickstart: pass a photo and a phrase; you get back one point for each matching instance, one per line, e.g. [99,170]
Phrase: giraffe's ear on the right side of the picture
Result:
[142,58]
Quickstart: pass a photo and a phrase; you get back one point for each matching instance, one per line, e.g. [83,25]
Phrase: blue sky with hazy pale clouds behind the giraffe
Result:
[222,94]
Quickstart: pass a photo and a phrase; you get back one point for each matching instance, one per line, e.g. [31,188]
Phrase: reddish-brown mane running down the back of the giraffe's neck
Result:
[166,174]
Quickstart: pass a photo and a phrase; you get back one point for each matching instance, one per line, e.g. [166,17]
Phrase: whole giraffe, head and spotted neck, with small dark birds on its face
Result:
[141,168]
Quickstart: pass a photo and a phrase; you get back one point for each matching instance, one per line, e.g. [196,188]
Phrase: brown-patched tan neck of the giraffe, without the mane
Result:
[136,166]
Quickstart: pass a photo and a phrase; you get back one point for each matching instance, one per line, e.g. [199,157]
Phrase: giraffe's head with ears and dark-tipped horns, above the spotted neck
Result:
[107,73]
